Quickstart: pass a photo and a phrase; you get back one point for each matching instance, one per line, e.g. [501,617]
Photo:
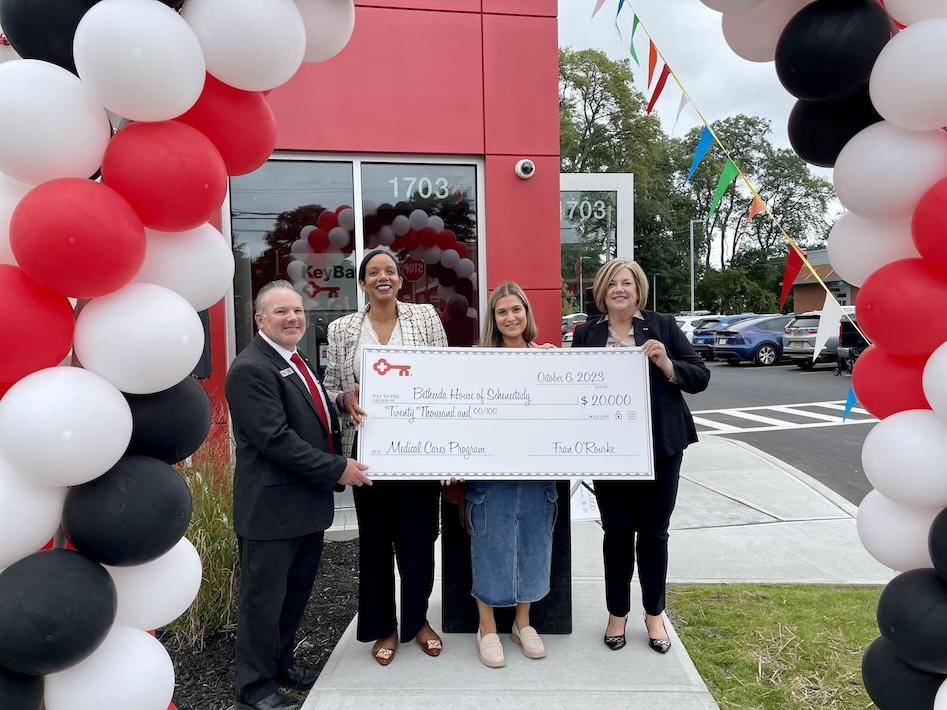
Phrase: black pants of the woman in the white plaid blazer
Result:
[396,519]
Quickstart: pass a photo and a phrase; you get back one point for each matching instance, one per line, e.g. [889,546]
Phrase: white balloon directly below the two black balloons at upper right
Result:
[884,170]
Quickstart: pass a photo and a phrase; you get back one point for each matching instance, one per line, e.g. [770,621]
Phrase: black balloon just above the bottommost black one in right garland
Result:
[912,615]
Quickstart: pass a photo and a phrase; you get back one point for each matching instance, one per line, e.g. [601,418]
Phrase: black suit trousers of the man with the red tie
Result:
[276,578]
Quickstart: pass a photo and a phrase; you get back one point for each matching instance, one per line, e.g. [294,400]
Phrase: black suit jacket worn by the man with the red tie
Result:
[284,474]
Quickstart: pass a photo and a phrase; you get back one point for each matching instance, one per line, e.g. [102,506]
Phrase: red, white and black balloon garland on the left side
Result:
[89,448]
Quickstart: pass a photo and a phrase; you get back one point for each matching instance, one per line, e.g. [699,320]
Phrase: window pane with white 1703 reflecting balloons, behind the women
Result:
[427,214]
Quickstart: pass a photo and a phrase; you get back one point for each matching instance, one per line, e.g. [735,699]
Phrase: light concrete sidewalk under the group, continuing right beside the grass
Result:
[742,516]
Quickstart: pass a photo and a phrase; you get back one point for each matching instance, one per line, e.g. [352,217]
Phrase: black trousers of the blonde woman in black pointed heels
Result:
[635,517]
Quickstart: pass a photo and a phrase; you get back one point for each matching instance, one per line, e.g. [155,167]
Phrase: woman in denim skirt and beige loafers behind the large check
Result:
[510,523]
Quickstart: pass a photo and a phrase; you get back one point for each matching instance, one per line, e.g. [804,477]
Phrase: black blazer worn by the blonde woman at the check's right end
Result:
[672,424]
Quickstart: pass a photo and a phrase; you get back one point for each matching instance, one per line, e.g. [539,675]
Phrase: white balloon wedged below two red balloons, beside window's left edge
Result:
[196,264]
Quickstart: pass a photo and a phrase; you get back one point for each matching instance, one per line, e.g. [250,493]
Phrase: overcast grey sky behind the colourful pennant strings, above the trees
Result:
[687,33]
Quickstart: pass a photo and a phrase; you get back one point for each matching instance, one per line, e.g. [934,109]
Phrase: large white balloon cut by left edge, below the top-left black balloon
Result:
[50,125]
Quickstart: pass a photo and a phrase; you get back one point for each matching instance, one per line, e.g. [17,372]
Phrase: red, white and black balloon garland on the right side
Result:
[871,105]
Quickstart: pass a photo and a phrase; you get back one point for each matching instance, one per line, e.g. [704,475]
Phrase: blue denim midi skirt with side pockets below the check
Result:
[510,527]
